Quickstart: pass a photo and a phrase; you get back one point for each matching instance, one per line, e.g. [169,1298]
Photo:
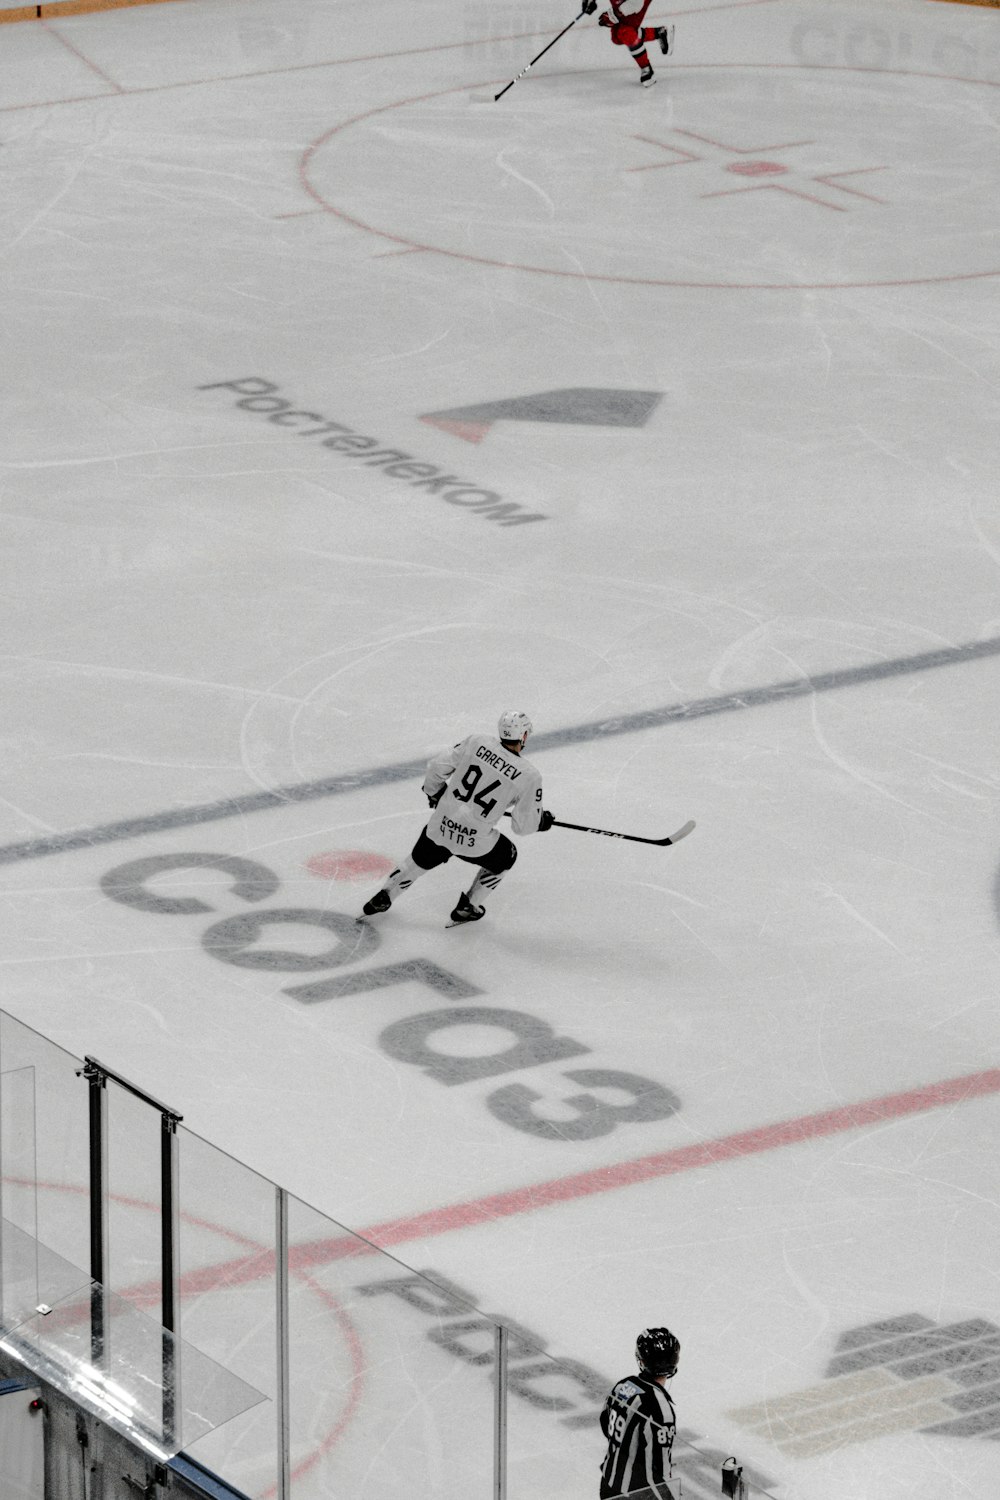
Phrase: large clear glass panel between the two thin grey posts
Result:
[391,1375]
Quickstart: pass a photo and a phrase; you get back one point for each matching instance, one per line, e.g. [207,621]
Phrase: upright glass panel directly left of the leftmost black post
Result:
[62,1168]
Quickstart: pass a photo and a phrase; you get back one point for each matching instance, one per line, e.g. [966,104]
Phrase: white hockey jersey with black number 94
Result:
[482,782]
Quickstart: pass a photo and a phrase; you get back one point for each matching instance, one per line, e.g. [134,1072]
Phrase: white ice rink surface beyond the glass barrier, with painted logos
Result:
[344,409]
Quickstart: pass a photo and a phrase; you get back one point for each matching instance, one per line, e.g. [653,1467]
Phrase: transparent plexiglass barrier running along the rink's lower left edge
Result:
[302,1361]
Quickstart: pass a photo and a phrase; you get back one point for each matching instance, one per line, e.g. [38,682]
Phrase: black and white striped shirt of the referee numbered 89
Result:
[639,1424]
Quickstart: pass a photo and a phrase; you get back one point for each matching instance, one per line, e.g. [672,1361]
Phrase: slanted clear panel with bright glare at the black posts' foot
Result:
[124,1384]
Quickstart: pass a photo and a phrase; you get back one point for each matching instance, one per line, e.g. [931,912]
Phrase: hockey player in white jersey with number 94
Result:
[470,788]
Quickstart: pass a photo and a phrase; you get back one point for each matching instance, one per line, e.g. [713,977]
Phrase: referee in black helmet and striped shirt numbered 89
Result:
[639,1423]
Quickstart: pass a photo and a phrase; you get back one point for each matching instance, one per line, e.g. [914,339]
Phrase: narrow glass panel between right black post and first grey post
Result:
[229,1301]
